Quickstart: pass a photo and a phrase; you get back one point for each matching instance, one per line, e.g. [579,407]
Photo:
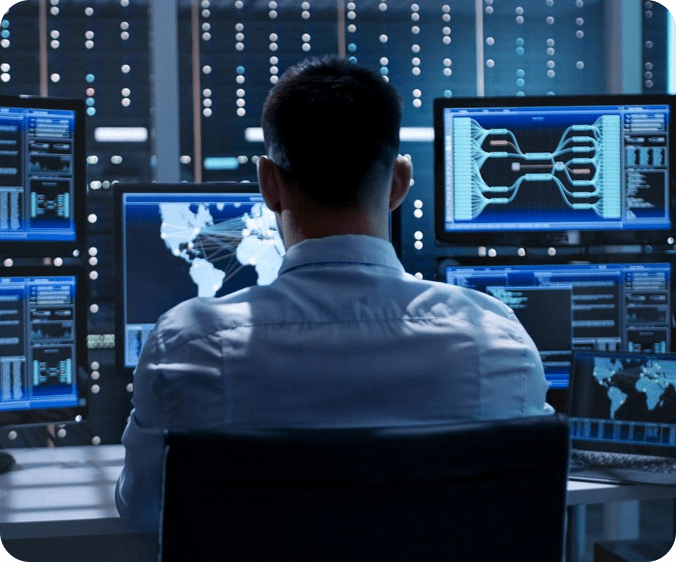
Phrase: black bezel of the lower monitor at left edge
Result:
[67,413]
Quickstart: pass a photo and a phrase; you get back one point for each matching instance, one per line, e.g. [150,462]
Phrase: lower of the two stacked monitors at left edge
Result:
[43,348]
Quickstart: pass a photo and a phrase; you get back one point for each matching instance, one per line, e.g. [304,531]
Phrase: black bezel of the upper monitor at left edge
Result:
[57,248]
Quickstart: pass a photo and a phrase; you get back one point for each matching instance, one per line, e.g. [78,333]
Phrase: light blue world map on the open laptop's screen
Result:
[655,380]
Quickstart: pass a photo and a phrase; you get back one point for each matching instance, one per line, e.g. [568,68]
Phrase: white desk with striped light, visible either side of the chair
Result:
[65,494]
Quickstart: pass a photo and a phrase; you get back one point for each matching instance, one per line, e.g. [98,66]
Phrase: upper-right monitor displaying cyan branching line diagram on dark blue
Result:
[555,170]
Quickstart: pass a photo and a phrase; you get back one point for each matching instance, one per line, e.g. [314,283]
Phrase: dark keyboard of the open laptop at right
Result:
[617,467]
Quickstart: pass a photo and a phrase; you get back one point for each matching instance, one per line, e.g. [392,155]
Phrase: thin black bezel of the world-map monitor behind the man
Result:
[119,191]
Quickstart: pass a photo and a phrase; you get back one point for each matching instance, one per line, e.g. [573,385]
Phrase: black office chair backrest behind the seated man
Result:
[479,491]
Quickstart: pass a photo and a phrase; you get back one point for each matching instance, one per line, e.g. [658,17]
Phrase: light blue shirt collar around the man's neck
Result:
[343,249]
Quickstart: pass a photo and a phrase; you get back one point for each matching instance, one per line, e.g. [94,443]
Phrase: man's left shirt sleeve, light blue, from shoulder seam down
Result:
[178,384]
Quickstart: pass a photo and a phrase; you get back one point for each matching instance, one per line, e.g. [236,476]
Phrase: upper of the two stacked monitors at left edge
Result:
[42,176]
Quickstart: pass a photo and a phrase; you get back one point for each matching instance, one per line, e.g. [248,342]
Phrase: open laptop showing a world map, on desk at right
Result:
[622,413]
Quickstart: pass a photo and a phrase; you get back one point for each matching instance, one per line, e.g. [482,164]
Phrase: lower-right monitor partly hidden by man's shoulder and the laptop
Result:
[625,304]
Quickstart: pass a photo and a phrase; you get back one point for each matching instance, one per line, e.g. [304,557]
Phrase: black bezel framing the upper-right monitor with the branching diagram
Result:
[548,238]
